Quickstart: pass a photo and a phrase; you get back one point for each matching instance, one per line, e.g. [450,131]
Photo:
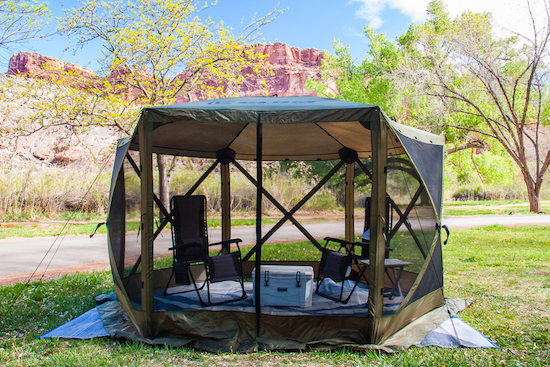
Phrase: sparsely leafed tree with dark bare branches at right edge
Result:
[494,86]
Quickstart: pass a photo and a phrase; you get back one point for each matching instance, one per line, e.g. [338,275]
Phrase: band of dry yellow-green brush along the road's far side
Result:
[34,192]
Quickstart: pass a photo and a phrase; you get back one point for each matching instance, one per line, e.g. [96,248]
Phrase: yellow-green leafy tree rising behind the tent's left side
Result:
[154,52]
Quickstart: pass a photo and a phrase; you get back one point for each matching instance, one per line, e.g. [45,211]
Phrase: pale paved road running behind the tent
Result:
[21,257]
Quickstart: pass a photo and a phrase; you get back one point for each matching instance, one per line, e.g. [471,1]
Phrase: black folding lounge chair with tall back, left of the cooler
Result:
[190,247]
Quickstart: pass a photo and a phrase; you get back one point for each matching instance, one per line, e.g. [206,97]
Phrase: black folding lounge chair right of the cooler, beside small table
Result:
[337,265]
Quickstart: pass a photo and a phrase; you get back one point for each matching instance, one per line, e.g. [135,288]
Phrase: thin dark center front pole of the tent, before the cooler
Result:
[259,187]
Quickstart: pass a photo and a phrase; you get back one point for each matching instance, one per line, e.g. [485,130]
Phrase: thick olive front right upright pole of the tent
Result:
[379,131]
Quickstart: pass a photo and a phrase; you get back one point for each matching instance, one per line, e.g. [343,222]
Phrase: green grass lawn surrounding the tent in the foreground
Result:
[504,271]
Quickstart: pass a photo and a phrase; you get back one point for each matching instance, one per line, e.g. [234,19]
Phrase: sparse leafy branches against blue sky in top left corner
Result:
[21,21]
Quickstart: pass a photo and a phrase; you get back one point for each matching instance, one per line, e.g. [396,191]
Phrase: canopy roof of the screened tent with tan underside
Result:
[293,128]
